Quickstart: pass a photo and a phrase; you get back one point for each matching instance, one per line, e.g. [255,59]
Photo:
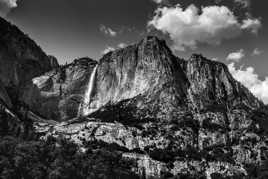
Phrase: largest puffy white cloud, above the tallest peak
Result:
[190,26]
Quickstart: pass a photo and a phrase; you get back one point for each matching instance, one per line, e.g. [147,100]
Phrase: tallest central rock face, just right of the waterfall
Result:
[147,75]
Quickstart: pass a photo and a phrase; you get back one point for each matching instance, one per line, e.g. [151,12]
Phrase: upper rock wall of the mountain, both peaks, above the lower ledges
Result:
[145,73]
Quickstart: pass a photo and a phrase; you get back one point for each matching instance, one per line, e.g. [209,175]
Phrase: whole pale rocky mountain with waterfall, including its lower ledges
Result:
[173,117]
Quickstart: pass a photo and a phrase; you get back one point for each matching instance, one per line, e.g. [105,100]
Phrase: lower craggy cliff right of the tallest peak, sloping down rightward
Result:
[212,84]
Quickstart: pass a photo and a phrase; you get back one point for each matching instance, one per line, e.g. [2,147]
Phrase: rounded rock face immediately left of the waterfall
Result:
[58,94]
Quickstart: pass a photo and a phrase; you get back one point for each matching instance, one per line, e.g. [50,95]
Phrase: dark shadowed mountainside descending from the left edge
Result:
[21,59]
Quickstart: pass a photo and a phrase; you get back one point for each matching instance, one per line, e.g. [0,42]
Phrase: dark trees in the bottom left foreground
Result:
[59,159]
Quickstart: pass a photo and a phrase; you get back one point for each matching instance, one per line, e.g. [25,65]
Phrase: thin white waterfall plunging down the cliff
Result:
[87,98]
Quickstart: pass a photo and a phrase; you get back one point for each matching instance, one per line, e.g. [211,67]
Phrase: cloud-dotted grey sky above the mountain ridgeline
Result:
[231,31]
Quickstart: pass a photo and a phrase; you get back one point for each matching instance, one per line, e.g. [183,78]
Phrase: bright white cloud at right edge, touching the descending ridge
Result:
[251,80]
